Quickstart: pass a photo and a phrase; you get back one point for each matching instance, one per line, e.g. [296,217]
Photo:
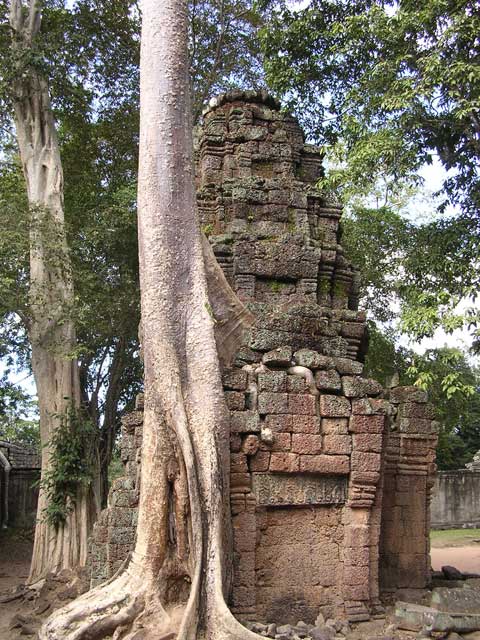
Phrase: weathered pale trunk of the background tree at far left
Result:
[51,330]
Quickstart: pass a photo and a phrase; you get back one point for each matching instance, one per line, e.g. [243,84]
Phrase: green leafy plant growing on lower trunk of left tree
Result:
[71,449]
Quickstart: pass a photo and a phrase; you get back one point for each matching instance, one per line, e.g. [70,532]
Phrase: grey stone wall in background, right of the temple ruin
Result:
[456,500]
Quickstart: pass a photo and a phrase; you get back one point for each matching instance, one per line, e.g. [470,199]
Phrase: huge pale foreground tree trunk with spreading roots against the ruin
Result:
[178,575]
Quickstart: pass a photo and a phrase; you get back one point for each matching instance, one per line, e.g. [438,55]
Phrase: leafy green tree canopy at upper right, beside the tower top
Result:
[386,86]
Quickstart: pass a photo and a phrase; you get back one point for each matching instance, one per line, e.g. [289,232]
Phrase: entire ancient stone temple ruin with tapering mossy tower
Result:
[330,473]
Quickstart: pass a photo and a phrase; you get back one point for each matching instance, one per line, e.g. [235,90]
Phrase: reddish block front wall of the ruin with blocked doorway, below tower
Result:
[305,467]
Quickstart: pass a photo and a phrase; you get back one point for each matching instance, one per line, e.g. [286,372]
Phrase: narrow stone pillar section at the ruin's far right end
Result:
[409,476]
